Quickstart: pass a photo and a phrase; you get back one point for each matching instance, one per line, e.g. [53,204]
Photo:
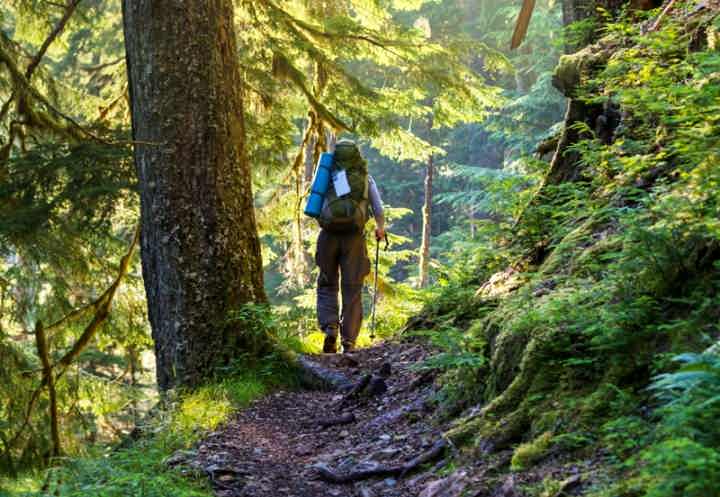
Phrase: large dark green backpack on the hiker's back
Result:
[349,213]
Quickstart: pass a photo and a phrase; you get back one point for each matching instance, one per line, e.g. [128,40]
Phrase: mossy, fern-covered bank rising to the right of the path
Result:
[560,353]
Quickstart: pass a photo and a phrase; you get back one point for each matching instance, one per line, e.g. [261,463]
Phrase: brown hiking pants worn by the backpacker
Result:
[348,254]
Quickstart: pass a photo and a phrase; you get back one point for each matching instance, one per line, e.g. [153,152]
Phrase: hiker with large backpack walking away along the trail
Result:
[341,246]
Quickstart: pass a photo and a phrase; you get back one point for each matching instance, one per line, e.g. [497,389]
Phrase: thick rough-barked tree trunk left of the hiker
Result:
[200,248]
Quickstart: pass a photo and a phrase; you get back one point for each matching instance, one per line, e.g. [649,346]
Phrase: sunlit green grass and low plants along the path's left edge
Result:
[138,467]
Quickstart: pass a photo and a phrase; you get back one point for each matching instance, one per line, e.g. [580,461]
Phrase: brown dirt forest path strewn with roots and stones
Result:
[279,447]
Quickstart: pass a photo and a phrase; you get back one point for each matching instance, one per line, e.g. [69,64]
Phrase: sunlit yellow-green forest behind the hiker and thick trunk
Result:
[447,116]
